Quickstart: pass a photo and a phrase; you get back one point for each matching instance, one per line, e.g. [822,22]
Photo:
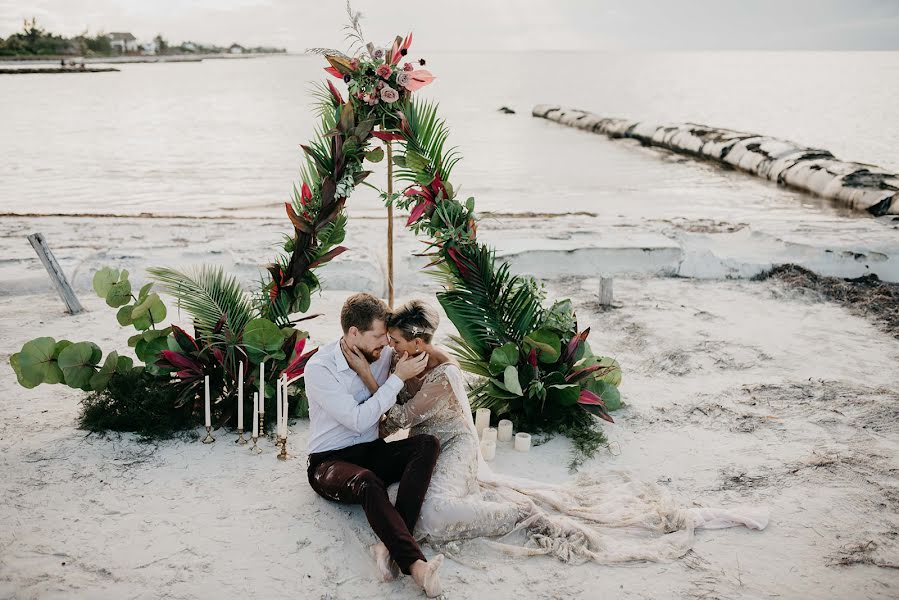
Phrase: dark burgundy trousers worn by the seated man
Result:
[360,474]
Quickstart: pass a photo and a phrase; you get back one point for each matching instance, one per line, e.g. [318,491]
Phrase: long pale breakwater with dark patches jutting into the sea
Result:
[857,185]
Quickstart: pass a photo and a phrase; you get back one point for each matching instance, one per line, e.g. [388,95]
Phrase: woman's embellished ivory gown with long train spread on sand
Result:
[606,517]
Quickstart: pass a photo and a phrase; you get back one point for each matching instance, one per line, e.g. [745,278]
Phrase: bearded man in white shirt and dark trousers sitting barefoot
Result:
[347,461]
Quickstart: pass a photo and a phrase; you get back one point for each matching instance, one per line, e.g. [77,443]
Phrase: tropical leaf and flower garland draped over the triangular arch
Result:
[536,365]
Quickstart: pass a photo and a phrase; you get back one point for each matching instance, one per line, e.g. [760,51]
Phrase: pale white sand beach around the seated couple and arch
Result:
[737,392]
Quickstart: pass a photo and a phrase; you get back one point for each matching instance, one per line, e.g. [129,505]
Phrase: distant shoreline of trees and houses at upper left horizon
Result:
[34,40]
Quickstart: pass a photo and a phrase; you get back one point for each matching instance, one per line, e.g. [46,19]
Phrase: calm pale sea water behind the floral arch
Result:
[221,137]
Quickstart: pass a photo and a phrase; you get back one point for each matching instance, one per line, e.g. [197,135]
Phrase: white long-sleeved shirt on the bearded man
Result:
[342,412]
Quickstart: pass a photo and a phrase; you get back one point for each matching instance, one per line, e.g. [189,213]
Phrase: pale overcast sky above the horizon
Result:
[484,25]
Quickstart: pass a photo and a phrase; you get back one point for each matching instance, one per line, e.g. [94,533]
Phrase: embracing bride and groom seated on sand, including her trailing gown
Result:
[385,374]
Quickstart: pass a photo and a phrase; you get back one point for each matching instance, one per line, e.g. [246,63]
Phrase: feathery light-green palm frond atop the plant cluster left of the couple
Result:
[208,294]
